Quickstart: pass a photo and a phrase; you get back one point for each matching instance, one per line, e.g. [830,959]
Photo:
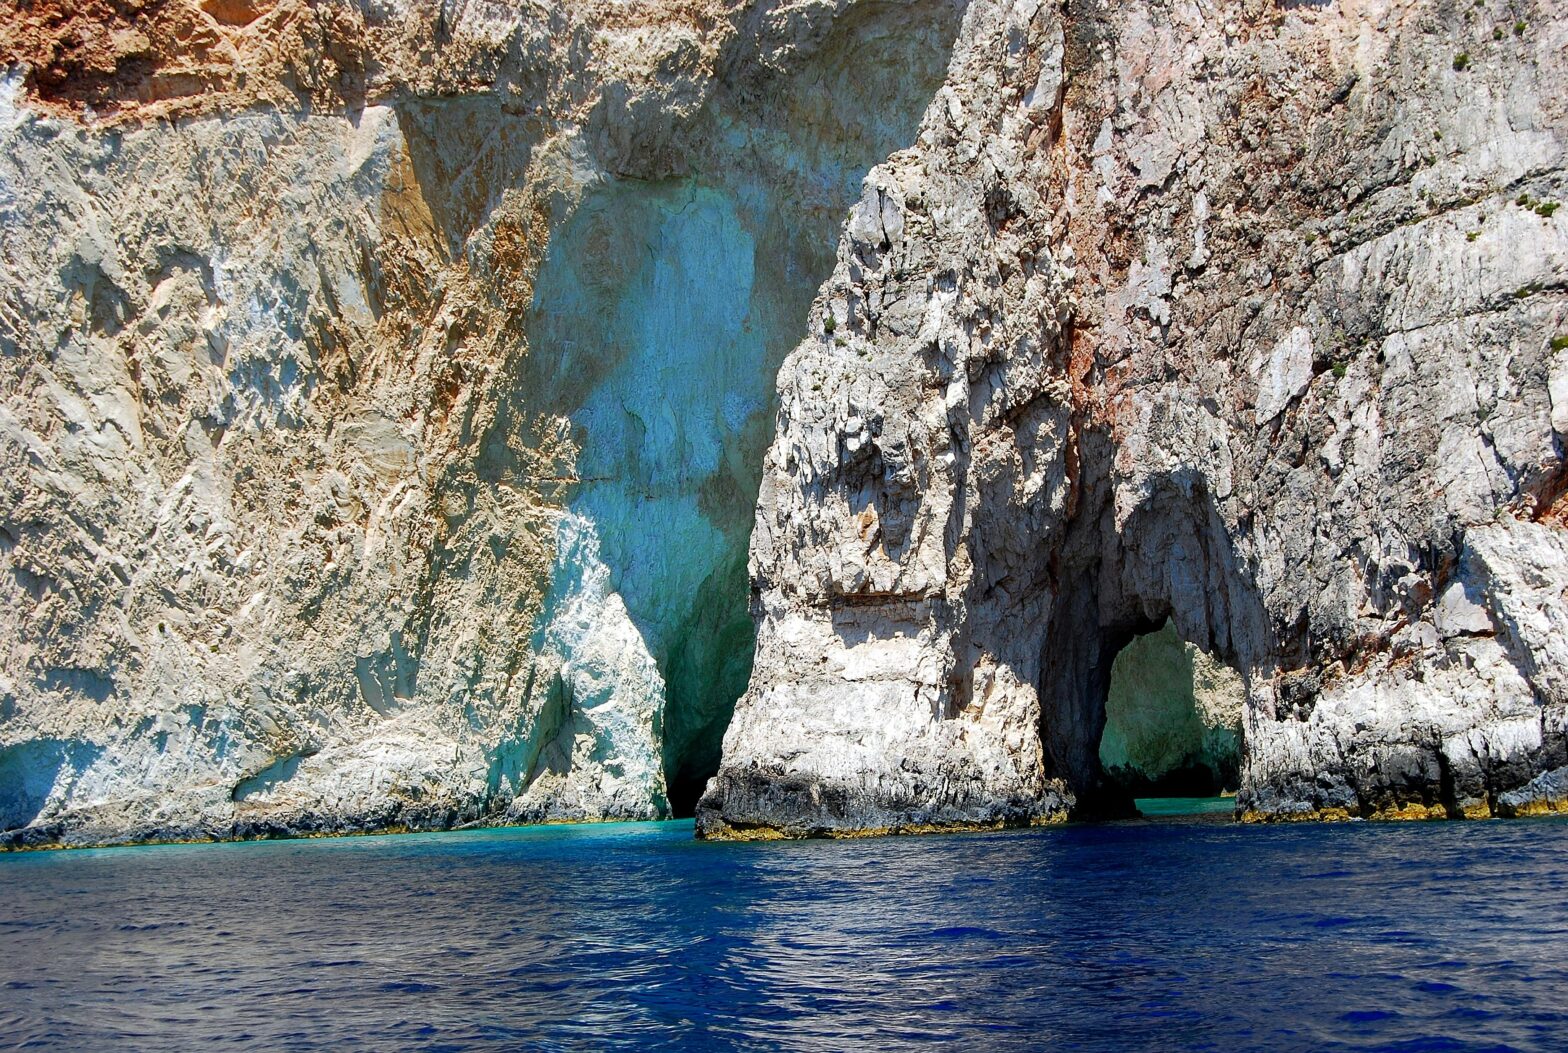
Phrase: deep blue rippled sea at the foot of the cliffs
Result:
[1163,936]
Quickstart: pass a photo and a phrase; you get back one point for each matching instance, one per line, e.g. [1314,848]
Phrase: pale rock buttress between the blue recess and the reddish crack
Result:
[880,700]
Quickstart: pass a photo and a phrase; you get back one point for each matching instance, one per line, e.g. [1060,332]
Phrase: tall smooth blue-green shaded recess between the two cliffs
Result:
[664,311]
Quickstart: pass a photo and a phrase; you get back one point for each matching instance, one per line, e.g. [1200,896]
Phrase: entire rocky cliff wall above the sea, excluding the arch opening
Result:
[387,400]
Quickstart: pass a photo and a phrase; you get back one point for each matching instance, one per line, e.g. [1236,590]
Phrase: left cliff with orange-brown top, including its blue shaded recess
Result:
[383,393]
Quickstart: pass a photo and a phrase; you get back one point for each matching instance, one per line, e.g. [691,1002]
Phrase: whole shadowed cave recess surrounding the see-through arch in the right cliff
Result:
[1145,657]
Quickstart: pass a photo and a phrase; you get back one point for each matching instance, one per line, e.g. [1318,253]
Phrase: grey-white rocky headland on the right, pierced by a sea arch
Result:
[1246,317]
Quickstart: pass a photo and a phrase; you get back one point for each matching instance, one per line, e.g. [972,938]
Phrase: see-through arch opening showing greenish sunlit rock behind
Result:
[1174,725]
